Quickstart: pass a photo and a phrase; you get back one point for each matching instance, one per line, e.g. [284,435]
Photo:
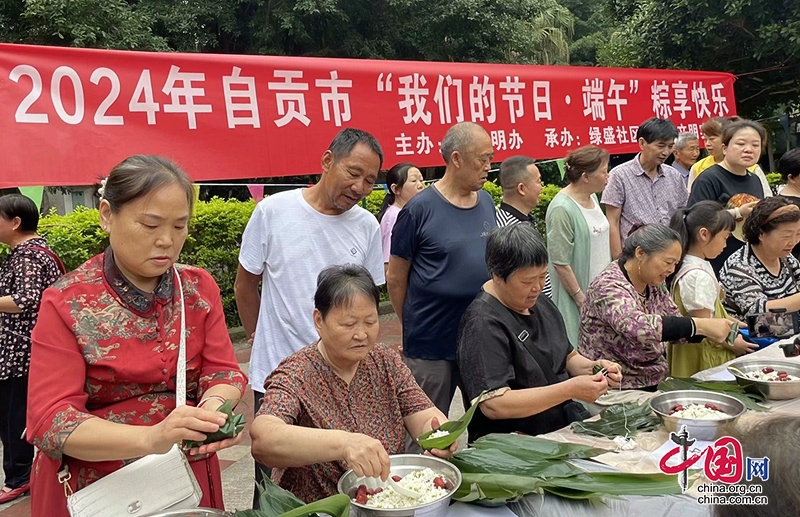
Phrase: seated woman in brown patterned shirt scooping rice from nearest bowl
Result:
[342,402]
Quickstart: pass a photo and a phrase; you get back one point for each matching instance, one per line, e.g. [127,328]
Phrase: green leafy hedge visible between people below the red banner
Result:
[215,236]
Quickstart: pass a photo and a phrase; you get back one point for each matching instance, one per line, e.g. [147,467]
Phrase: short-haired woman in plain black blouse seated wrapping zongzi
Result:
[512,343]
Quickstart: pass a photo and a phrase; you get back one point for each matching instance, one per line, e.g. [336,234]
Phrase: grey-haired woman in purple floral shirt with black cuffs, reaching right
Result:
[629,314]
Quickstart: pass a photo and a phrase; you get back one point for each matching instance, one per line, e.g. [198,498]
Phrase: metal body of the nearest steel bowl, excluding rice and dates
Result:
[403,464]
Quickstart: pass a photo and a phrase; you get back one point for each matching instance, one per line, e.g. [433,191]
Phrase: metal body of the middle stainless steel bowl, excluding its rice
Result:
[707,430]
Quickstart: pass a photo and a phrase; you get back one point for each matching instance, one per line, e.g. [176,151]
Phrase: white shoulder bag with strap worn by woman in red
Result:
[151,484]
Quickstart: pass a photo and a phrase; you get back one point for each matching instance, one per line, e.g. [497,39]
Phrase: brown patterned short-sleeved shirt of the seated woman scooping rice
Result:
[304,391]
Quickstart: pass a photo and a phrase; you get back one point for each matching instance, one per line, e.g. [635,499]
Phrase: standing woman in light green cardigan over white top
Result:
[578,237]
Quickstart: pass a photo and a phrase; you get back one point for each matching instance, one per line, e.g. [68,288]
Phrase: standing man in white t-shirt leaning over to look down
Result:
[294,235]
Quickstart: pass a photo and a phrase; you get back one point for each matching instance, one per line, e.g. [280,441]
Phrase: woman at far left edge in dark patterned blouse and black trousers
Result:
[31,268]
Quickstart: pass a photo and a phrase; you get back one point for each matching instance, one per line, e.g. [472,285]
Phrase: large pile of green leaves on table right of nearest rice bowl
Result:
[502,468]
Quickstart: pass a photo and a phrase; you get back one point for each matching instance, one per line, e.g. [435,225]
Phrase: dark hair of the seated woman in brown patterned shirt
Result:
[338,285]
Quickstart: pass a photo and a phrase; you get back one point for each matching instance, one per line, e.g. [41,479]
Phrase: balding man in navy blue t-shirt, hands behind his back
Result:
[437,265]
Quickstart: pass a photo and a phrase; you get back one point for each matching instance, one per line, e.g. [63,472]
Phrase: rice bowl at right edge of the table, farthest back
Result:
[773,378]
